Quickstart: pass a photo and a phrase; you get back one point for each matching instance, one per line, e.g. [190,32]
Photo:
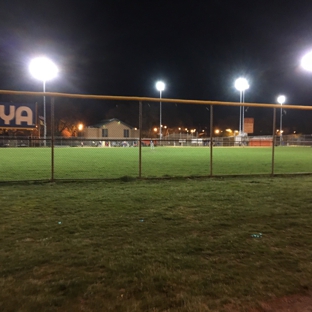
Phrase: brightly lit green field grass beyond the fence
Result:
[106,163]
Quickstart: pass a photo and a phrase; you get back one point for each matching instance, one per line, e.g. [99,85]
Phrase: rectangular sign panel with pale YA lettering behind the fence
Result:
[17,115]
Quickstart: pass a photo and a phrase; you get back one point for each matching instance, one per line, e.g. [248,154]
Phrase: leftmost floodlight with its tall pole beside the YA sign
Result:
[43,69]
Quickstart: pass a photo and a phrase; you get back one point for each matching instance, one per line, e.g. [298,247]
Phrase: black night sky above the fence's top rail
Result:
[198,48]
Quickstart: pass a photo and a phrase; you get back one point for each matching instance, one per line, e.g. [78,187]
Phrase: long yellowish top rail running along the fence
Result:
[151,99]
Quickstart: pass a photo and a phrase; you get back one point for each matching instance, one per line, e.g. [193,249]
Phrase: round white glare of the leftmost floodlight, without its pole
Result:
[43,69]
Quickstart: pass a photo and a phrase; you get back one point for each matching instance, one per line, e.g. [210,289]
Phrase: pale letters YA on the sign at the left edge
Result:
[21,114]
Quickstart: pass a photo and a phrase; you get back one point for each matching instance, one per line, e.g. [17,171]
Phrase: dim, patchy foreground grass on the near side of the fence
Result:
[154,246]
